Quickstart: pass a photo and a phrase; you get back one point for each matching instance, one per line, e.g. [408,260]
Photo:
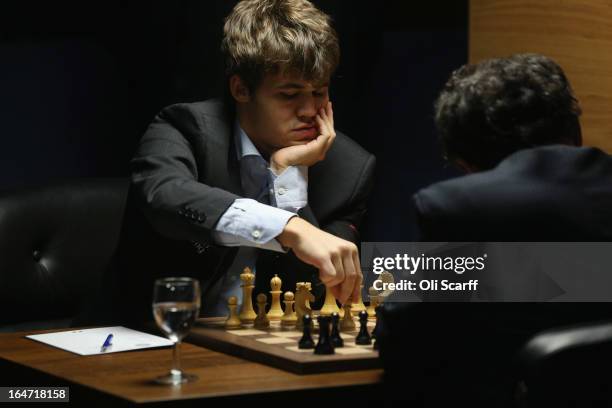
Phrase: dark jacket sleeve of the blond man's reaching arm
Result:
[165,177]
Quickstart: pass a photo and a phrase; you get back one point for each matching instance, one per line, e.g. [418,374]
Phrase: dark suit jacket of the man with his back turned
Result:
[466,350]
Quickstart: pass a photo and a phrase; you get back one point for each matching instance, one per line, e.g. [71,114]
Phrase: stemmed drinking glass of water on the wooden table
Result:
[176,305]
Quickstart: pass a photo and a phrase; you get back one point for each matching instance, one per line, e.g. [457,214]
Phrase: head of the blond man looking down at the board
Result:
[279,58]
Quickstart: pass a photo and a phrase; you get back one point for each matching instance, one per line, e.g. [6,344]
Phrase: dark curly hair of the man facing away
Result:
[490,110]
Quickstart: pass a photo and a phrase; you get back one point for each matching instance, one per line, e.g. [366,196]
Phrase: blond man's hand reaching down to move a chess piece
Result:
[336,258]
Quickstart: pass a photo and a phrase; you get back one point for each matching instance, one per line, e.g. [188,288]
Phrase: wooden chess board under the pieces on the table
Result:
[277,347]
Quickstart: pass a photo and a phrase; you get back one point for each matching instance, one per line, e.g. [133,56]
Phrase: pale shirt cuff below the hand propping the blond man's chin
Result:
[290,188]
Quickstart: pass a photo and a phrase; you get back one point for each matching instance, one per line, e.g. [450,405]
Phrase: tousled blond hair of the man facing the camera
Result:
[271,36]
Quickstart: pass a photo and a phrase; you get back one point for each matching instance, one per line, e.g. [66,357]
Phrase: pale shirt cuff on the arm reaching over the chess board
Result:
[250,223]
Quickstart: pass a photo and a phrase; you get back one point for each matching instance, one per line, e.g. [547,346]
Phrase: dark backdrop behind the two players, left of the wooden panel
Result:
[79,84]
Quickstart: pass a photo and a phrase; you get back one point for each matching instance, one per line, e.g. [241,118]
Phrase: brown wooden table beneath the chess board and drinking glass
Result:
[125,378]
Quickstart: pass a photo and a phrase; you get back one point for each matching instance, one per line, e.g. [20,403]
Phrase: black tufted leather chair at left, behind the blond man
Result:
[57,243]
